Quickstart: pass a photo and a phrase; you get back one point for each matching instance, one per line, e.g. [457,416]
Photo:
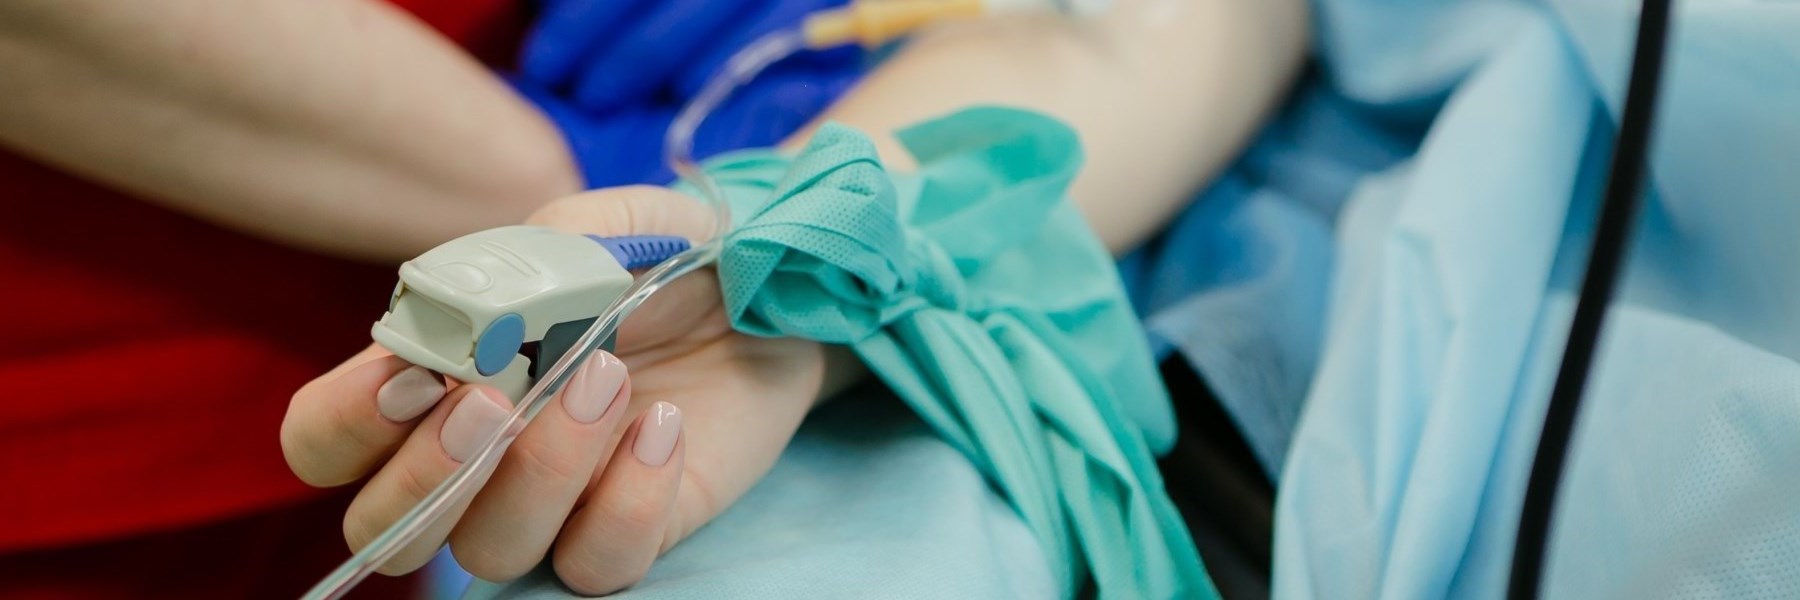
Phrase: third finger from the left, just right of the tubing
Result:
[512,523]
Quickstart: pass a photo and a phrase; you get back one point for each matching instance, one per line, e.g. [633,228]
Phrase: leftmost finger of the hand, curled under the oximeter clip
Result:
[346,423]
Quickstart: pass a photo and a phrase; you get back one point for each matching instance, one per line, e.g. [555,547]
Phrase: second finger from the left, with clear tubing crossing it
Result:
[444,442]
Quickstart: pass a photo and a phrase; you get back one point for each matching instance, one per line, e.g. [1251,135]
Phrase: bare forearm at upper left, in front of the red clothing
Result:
[336,125]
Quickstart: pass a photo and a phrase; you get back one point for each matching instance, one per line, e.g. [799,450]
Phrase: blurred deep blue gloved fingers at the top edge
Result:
[607,55]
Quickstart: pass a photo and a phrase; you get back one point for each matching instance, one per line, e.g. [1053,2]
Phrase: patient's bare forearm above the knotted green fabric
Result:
[1164,93]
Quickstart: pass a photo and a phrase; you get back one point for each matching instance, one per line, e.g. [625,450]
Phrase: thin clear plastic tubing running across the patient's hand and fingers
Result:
[678,152]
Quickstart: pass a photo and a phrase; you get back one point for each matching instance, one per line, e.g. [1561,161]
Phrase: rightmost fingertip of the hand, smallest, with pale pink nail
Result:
[624,527]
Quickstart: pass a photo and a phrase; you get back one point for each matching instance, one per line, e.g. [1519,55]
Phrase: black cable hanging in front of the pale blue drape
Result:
[1606,255]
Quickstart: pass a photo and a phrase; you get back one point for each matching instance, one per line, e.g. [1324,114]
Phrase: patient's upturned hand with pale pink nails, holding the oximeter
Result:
[611,475]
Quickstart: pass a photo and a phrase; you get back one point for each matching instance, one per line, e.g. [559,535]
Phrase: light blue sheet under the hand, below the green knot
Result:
[867,504]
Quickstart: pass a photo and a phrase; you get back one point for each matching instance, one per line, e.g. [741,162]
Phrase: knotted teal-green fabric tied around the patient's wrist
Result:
[980,296]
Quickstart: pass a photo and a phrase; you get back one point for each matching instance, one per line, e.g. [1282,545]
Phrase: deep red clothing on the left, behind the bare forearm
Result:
[147,361]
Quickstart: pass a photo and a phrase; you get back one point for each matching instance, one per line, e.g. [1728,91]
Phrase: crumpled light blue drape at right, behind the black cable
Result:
[1416,300]
